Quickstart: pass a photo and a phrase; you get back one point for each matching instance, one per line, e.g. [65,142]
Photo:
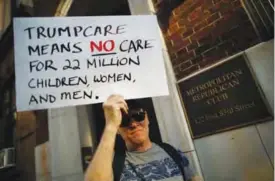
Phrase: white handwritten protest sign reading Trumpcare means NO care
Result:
[69,61]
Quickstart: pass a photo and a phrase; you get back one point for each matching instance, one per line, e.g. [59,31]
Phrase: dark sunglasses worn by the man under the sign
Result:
[135,114]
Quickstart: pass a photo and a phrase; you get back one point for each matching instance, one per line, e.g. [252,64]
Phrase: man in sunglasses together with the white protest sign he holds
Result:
[69,61]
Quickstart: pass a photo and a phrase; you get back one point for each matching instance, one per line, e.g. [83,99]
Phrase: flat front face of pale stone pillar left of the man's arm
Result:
[65,144]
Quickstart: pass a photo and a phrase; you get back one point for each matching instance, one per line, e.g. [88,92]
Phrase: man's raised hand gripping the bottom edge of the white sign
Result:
[112,110]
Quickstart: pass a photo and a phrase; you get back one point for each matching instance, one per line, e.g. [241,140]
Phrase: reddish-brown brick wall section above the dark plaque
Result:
[202,32]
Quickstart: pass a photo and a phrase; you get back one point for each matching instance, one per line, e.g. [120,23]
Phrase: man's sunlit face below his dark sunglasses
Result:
[136,133]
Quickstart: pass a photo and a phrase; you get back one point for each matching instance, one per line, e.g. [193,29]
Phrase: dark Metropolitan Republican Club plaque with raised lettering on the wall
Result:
[222,98]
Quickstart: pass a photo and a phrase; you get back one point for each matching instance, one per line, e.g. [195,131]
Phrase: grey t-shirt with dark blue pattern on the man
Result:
[154,165]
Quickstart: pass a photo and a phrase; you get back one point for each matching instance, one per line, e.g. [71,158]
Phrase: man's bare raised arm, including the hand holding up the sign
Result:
[100,168]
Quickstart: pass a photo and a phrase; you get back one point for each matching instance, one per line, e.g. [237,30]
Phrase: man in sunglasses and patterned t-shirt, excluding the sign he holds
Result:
[143,160]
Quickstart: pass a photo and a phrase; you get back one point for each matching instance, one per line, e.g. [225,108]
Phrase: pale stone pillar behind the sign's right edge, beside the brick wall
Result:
[171,120]
